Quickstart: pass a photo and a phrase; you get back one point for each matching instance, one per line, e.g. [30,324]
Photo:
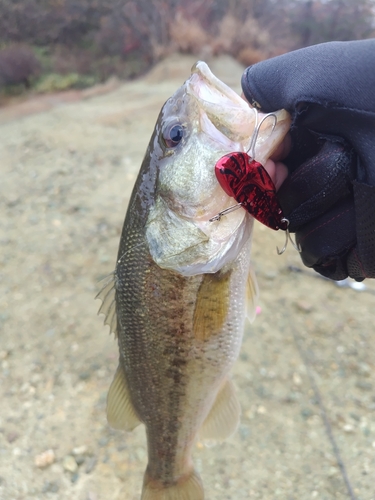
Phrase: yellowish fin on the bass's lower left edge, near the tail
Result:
[120,411]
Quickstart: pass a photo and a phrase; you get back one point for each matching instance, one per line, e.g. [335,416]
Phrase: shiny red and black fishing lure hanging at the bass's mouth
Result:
[249,183]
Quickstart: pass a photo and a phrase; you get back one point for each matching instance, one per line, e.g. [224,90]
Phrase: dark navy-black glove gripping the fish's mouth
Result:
[329,195]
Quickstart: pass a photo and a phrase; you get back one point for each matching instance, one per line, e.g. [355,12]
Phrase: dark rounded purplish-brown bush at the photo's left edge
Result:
[17,65]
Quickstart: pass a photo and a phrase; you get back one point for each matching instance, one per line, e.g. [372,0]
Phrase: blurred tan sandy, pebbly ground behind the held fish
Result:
[306,373]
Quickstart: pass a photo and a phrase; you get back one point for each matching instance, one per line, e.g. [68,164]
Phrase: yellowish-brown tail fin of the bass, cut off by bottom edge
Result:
[188,488]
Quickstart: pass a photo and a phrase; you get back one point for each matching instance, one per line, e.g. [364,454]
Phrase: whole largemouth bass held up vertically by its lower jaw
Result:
[177,298]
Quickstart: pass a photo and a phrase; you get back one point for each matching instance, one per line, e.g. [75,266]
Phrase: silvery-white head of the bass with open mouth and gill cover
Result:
[200,123]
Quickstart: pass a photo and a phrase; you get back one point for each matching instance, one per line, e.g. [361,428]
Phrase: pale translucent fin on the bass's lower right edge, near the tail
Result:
[224,415]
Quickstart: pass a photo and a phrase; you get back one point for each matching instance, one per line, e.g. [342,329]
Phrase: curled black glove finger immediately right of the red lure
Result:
[316,185]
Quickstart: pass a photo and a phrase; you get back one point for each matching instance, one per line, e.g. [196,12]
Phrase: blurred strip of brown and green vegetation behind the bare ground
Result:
[57,44]
